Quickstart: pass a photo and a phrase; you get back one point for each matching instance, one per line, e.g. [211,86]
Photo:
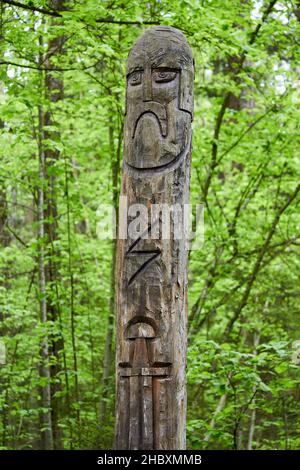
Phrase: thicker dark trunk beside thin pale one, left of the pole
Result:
[54,92]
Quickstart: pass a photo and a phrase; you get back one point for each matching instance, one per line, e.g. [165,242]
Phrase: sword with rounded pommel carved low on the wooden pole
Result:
[144,385]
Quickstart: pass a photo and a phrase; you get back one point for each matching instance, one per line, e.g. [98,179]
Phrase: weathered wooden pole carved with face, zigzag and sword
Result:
[152,269]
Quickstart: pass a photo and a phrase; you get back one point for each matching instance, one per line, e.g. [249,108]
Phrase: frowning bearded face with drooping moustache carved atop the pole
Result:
[158,97]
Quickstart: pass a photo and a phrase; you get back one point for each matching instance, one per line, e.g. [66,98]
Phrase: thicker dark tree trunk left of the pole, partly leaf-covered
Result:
[53,86]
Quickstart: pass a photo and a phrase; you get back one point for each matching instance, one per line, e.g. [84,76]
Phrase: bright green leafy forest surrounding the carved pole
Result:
[62,68]
